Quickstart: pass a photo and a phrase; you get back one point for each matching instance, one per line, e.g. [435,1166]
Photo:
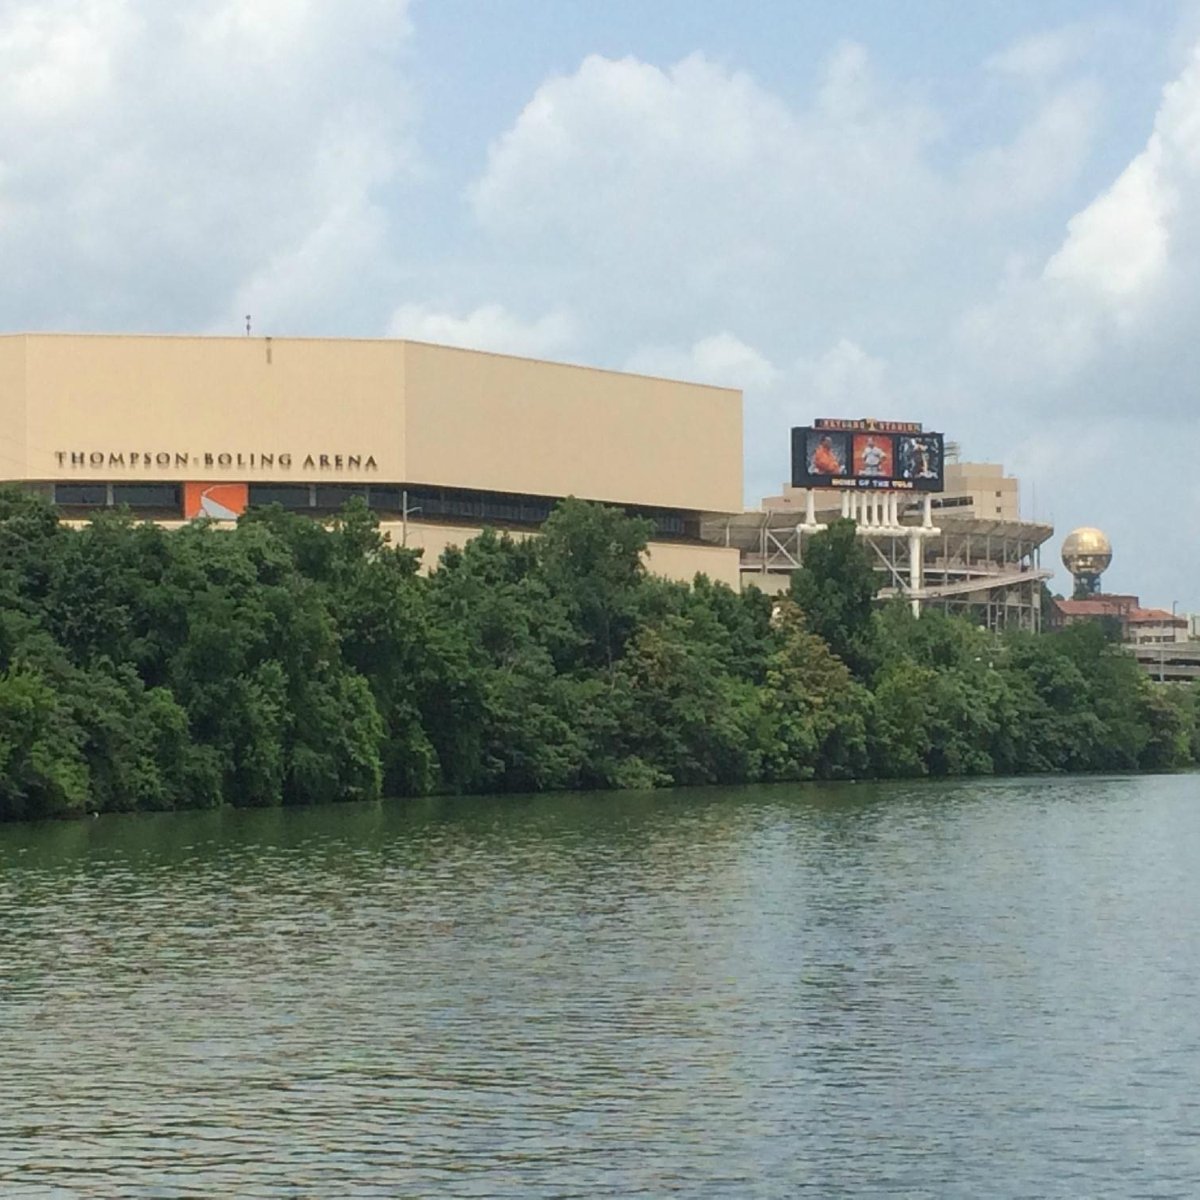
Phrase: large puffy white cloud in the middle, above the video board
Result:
[691,187]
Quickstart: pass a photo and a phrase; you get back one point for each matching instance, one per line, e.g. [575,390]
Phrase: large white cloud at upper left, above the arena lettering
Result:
[157,159]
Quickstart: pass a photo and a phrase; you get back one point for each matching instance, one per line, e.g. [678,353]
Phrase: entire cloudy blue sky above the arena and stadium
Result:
[979,215]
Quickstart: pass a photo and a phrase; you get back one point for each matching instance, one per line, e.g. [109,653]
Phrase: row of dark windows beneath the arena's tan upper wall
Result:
[425,503]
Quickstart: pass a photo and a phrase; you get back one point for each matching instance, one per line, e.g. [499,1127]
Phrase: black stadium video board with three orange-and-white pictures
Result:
[887,455]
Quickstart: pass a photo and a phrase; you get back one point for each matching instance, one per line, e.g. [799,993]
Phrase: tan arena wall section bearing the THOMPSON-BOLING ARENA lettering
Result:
[194,397]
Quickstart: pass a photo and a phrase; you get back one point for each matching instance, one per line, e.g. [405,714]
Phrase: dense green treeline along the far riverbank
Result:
[287,663]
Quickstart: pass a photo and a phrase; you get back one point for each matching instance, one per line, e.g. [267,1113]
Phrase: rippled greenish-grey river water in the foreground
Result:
[977,989]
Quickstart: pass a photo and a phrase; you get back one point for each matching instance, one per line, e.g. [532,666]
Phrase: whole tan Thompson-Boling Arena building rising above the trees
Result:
[439,441]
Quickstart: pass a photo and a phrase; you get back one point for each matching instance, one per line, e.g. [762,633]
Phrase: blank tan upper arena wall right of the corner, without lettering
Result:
[509,425]
